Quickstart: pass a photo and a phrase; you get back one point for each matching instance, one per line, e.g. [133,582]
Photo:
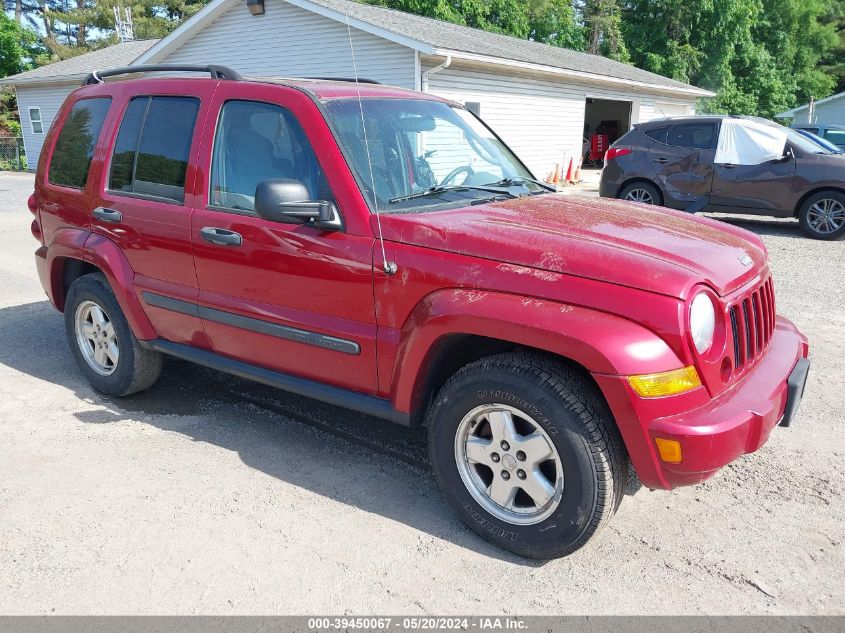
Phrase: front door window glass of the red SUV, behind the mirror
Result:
[256,142]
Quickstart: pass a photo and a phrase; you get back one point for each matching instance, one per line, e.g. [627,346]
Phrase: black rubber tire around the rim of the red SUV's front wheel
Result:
[573,415]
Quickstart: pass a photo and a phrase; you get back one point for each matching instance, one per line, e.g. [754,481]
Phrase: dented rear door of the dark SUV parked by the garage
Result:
[682,159]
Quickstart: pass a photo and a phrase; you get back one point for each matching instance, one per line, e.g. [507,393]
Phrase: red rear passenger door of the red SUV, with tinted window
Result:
[144,202]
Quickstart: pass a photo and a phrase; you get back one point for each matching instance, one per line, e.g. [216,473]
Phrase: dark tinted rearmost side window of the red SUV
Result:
[75,145]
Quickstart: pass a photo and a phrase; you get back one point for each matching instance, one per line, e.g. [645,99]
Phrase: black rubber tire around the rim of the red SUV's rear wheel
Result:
[136,368]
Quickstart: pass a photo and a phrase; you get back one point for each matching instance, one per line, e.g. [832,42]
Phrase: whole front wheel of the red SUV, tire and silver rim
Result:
[527,453]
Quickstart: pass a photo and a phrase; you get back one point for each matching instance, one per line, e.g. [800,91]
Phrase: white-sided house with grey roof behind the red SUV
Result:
[542,100]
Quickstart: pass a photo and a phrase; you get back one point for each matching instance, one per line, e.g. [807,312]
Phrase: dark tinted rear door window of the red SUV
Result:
[150,155]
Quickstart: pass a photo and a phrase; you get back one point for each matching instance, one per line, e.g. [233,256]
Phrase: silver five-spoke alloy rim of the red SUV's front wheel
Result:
[509,464]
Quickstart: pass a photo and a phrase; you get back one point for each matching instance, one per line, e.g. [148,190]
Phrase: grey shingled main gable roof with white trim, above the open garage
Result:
[436,37]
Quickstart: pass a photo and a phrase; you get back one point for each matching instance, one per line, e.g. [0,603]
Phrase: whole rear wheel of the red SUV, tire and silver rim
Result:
[102,342]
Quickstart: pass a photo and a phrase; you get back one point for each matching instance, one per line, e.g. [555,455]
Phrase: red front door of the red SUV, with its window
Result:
[289,297]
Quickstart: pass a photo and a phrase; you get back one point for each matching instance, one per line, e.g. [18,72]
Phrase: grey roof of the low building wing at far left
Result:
[77,68]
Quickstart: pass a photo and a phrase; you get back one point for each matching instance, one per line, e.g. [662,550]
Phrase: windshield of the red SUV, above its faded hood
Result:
[424,153]
